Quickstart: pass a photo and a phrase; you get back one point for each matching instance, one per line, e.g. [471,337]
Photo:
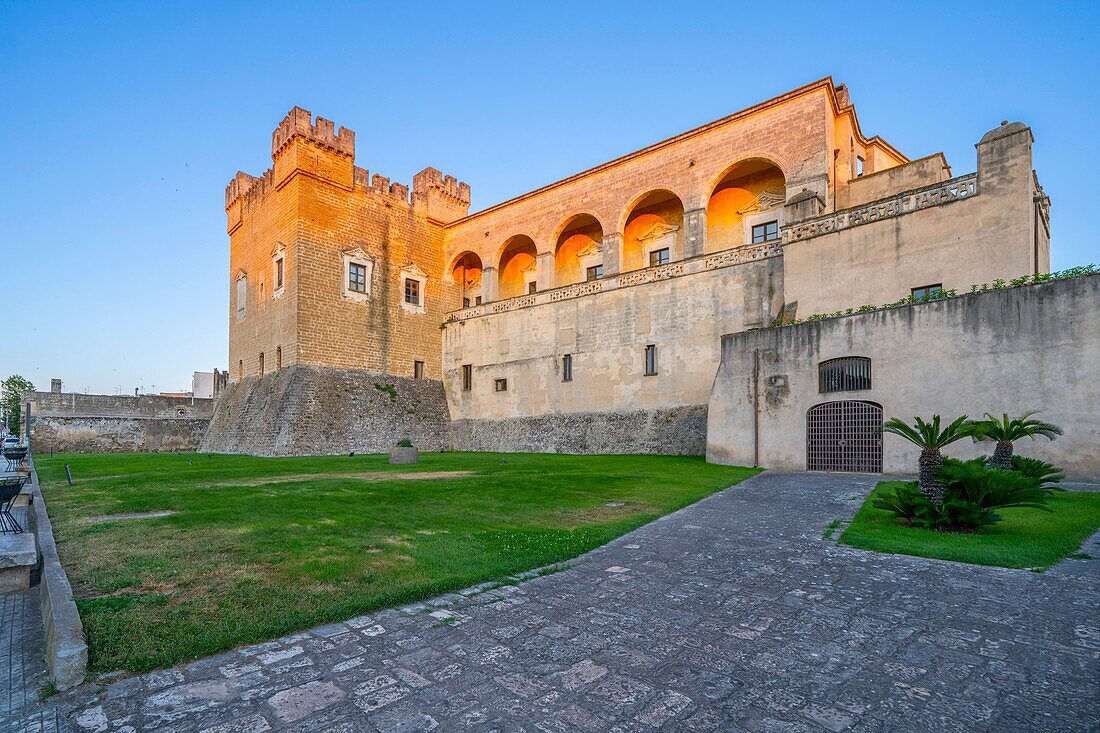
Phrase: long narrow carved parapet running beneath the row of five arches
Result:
[689,267]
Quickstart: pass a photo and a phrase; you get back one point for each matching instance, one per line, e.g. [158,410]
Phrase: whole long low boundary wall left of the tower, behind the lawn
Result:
[96,423]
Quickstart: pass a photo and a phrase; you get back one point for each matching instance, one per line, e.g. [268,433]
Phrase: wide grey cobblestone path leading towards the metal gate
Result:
[733,615]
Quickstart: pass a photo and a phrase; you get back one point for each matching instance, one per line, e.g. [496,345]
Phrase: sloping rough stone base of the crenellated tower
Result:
[320,411]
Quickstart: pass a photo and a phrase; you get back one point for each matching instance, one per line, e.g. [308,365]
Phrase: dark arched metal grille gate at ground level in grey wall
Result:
[845,436]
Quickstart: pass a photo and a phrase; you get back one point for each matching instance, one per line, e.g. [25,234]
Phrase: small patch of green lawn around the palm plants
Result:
[1027,539]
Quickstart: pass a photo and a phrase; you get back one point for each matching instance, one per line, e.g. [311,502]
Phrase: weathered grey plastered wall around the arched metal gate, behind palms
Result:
[1009,351]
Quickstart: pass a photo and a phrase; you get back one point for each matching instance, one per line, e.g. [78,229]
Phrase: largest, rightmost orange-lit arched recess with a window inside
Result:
[749,193]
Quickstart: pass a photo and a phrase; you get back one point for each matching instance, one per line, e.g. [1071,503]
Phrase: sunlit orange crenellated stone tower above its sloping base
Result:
[333,266]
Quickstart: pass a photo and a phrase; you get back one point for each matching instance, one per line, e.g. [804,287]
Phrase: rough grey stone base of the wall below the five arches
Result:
[676,431]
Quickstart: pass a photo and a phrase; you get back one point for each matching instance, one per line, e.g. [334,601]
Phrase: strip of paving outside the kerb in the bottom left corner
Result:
[23,665]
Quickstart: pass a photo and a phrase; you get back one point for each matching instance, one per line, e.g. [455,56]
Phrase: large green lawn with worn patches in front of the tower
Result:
[261,548]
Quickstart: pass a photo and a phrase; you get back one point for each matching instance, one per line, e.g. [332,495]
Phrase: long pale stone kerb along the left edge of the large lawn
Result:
[67,650]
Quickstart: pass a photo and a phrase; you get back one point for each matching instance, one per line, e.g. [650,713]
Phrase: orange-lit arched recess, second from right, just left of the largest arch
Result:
[654,222]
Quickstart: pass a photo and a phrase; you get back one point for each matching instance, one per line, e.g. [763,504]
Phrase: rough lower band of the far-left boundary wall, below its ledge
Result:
[102,435]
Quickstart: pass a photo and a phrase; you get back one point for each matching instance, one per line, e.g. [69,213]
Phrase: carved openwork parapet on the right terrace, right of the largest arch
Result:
[918,200]
